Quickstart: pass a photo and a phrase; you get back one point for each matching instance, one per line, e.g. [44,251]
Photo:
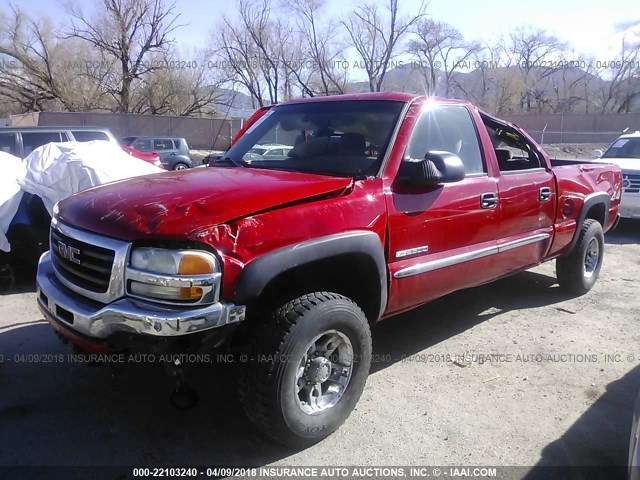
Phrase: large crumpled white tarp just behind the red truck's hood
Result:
[57,170]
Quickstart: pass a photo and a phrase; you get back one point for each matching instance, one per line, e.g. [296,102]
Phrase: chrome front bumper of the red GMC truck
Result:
[99,321]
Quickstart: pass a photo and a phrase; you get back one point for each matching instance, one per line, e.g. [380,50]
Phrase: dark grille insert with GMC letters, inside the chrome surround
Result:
[88,266]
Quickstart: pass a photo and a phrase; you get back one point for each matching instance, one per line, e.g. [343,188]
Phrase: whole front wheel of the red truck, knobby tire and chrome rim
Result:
[307,368]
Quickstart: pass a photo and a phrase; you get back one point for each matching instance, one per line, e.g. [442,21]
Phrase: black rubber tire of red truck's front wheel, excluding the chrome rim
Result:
[277,343]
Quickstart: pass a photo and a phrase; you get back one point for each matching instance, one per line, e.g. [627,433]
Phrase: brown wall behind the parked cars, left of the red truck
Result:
[201,133]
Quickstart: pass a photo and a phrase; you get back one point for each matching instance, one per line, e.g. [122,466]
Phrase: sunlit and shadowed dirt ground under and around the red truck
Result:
[549,395]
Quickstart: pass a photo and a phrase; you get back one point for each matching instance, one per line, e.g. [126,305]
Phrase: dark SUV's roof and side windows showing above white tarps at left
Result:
[21,141]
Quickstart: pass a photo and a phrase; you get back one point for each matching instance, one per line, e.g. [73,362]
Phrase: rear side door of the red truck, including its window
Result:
[527,201]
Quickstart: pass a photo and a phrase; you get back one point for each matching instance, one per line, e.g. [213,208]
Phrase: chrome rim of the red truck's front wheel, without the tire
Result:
[324,372]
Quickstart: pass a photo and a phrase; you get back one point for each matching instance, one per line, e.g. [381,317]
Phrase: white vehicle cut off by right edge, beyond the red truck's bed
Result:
[625,152]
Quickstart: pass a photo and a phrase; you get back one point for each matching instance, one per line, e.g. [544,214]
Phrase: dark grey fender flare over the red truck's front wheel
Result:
[257,274]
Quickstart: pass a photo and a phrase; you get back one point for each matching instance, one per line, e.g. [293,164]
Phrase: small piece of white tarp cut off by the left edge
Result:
[10,194]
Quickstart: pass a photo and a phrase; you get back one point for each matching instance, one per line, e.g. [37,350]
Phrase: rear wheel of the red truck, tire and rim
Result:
[578,271]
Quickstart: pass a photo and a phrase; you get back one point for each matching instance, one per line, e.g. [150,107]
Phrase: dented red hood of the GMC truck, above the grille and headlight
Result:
[173,204]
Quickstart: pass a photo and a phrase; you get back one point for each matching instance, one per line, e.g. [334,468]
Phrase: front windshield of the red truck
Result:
[347,139]
